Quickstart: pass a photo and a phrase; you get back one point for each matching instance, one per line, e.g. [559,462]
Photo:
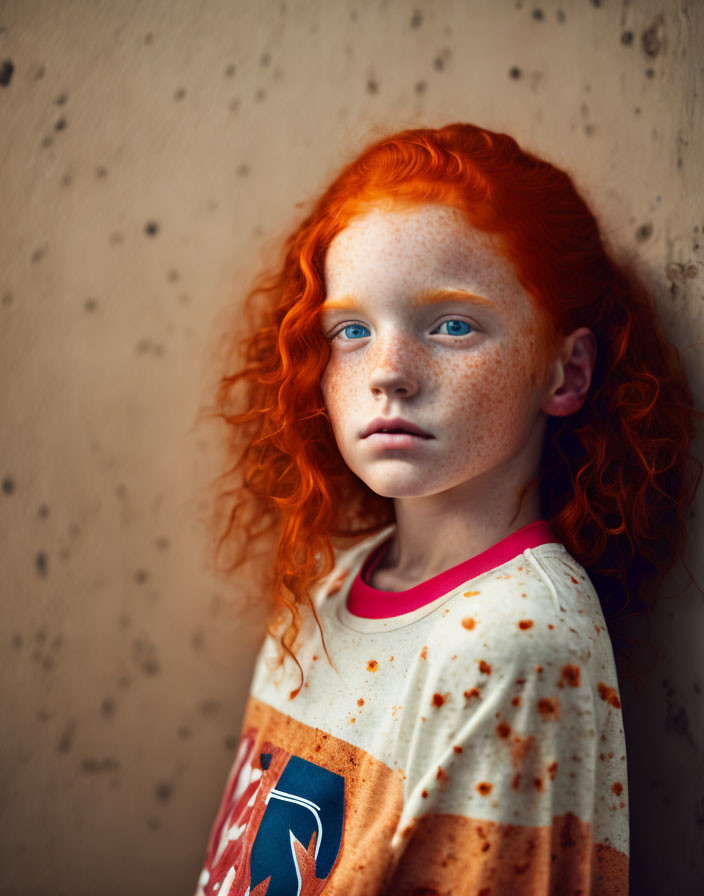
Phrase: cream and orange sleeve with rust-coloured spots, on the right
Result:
[527,793]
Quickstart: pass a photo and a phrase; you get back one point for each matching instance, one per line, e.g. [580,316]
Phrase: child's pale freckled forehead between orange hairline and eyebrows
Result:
[402,250]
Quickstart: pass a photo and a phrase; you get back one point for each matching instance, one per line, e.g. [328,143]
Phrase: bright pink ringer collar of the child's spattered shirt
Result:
[373,603]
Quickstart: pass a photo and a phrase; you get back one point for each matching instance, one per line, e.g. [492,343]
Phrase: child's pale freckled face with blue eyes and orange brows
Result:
[427,322]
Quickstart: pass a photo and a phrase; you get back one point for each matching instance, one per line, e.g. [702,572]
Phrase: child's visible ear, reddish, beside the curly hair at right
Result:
[570,374]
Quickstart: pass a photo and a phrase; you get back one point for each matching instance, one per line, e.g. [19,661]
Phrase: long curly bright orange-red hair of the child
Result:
[616,477]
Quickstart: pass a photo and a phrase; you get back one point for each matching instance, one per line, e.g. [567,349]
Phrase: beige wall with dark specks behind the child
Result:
[124,672]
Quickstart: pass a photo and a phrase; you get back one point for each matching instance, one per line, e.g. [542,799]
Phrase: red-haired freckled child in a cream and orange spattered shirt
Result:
[460,417]
